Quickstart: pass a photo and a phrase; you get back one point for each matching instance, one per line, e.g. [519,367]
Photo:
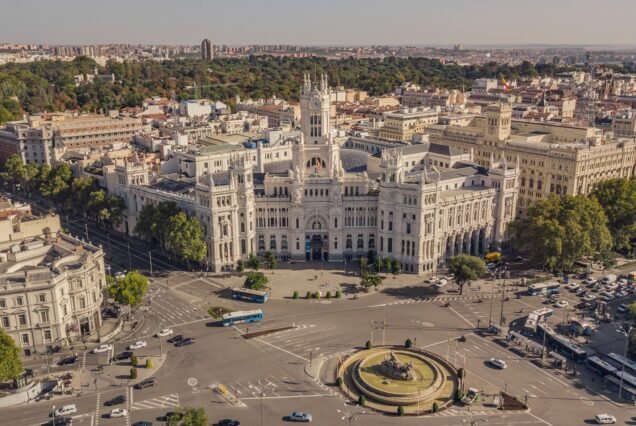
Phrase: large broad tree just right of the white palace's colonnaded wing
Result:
[559,230]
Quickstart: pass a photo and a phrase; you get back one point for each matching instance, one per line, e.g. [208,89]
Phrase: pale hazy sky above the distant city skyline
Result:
[422,22]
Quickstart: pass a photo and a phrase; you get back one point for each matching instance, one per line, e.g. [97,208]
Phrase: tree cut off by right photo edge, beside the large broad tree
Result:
[618,199]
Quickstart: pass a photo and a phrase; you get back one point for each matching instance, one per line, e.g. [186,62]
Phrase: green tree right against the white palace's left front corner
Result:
[185,238]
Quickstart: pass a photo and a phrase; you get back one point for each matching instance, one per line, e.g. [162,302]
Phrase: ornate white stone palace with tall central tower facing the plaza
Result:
[304,197]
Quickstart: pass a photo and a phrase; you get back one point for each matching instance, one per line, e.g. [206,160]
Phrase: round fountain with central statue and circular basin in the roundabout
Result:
[390,376]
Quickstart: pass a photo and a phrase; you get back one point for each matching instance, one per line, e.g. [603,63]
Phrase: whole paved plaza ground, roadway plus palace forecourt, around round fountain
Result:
[292,370]
